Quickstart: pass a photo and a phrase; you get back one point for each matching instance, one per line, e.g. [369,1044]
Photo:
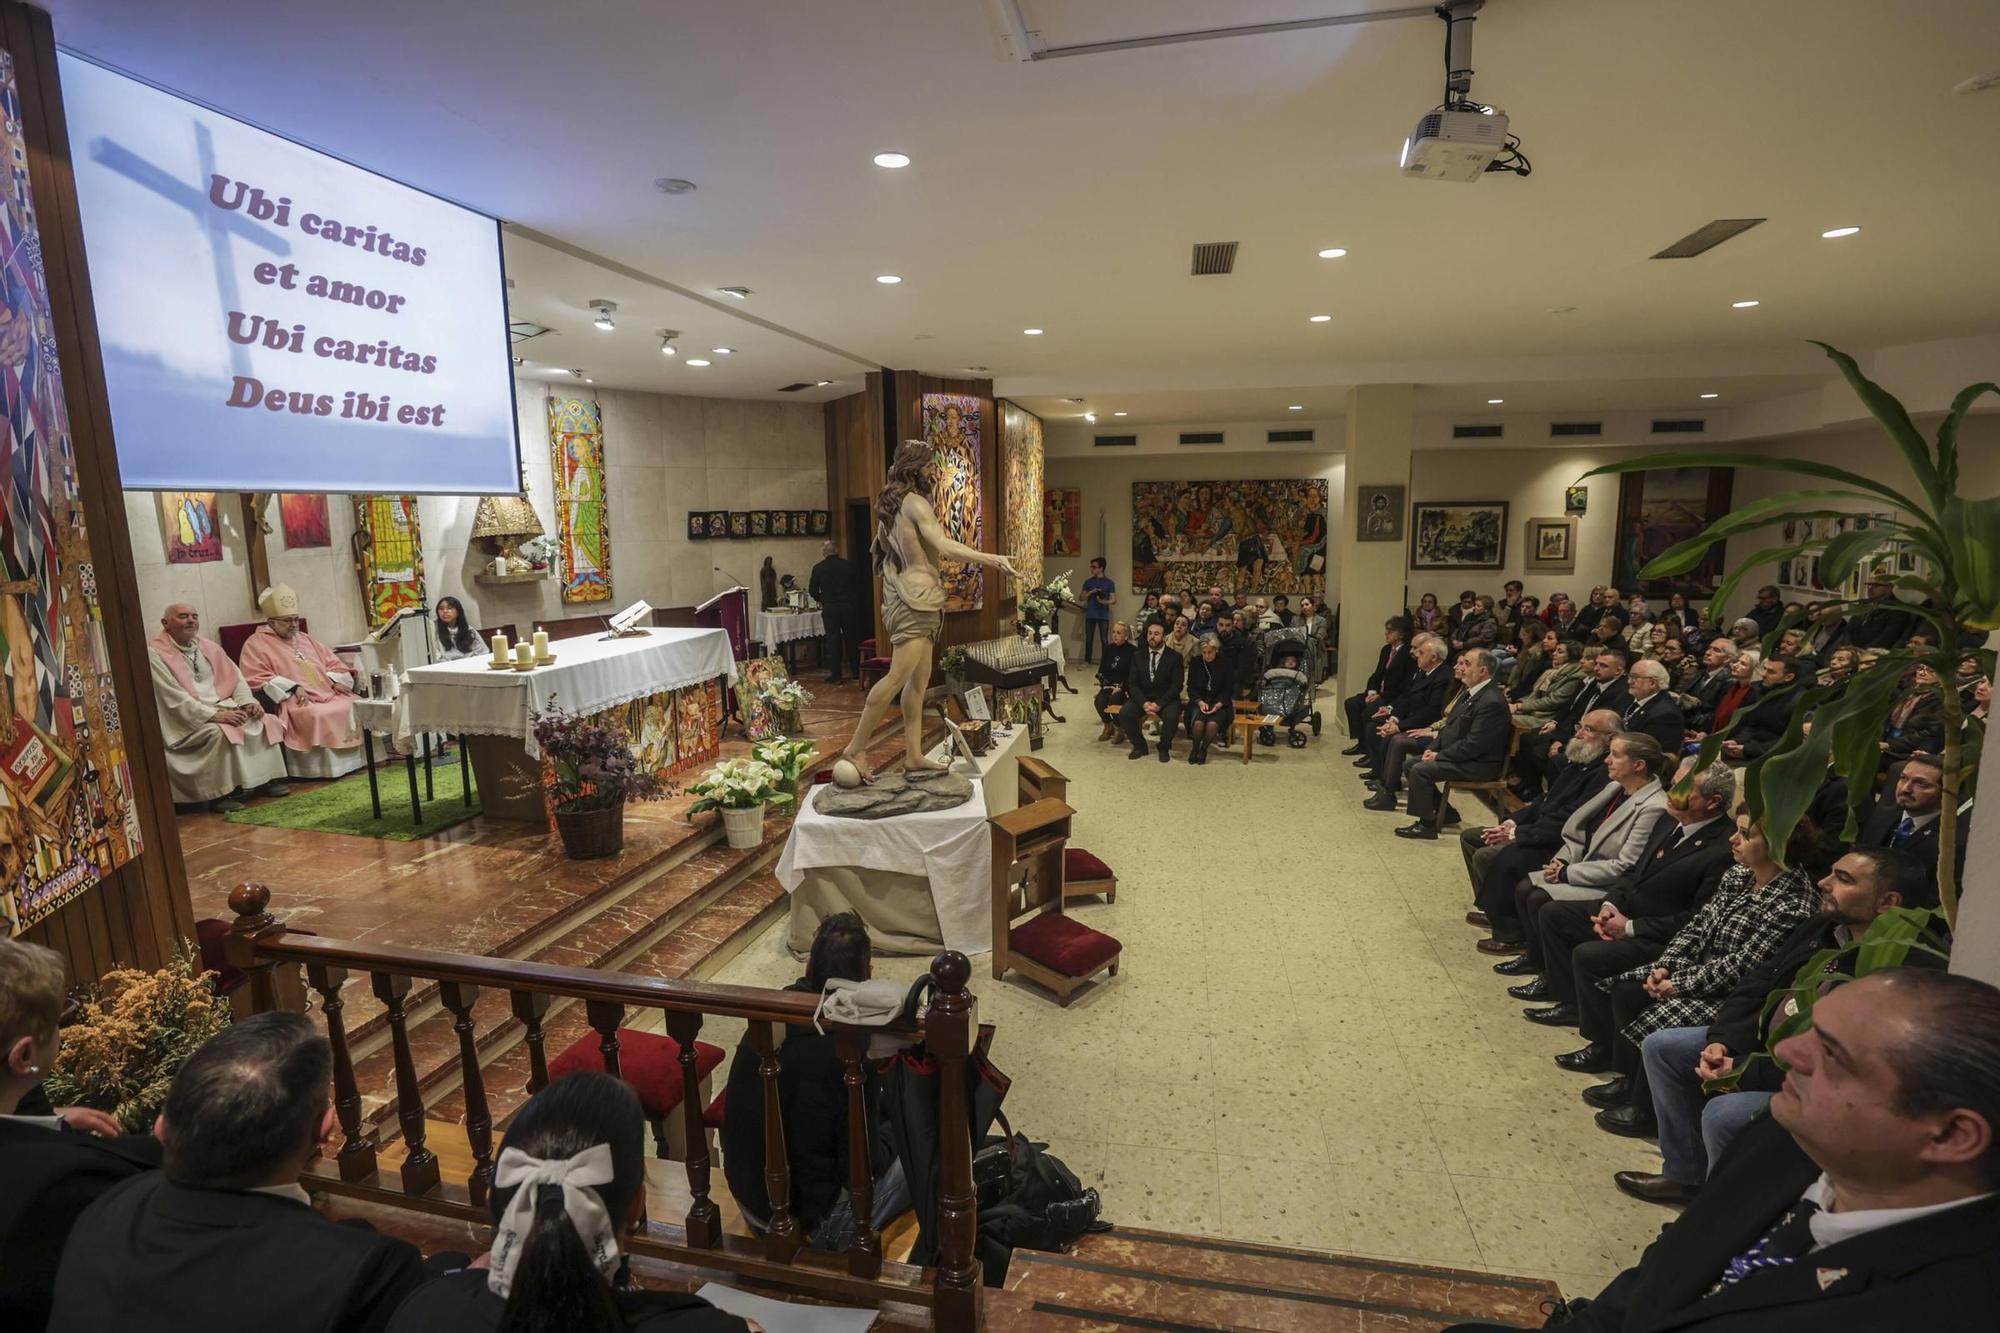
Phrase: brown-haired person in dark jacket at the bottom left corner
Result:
[53,1162]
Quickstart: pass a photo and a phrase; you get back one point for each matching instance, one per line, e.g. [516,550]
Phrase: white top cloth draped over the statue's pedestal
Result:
[953,850]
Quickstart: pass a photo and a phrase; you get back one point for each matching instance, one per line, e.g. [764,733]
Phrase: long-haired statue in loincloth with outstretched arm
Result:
[909,543]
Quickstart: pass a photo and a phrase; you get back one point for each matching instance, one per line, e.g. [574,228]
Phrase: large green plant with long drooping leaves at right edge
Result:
[1959,545]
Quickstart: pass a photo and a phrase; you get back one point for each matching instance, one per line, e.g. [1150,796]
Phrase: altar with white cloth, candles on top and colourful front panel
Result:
[665,688]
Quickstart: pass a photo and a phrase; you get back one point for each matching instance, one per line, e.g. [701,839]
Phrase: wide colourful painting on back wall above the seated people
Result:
[1239,535]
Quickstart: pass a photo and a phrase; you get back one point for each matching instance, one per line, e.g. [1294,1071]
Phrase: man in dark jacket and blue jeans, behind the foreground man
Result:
[1679,1062]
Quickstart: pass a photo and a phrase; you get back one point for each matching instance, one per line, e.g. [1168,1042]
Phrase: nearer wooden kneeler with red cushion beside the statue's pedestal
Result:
[1029,866]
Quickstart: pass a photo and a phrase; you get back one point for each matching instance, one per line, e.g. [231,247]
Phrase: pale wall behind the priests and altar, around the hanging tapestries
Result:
[665,455]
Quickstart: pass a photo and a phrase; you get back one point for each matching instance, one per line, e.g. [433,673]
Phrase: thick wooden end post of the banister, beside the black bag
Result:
[949,1030]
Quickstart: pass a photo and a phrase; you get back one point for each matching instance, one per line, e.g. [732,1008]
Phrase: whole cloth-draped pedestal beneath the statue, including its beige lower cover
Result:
[921,882]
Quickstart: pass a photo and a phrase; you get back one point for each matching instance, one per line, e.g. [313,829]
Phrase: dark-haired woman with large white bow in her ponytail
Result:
[567,1188]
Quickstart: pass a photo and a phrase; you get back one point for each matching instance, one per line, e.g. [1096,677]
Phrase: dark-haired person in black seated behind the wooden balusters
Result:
[813,1104]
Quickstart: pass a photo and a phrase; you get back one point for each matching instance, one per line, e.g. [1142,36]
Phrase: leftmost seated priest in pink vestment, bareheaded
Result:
[221,744]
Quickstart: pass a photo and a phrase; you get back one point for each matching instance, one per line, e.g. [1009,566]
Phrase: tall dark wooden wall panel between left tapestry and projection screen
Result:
[139,914]
